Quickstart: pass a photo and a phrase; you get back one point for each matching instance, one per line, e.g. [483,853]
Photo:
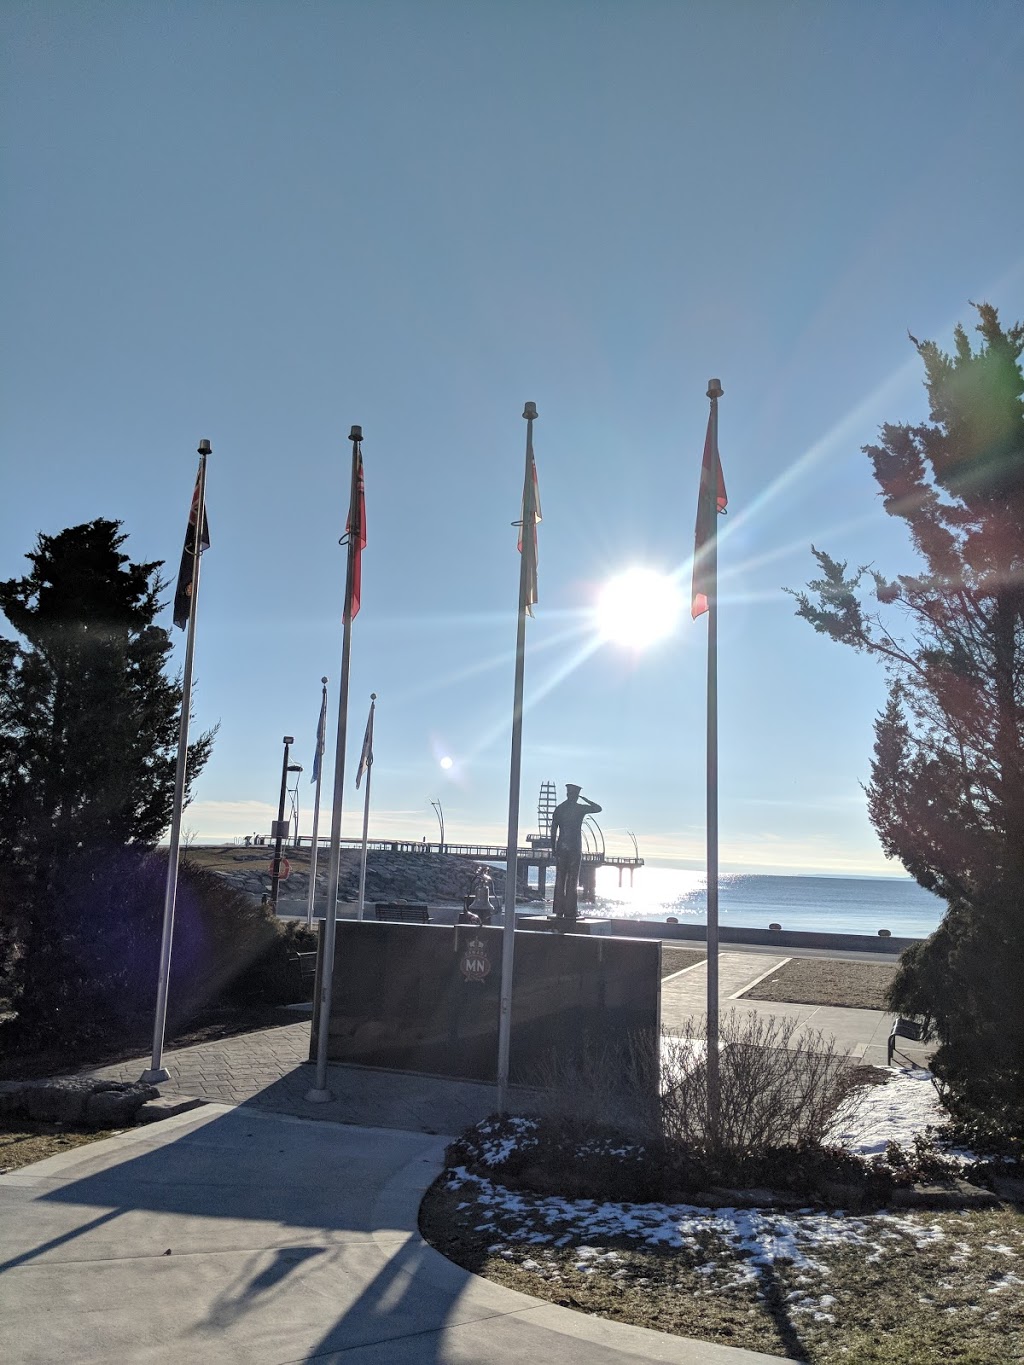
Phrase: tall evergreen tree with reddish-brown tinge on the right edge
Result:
[947,791]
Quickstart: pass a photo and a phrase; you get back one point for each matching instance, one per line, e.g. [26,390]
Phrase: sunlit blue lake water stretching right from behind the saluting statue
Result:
[823,904]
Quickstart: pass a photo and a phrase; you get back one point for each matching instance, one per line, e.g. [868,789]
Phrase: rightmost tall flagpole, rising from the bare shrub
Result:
[715,392]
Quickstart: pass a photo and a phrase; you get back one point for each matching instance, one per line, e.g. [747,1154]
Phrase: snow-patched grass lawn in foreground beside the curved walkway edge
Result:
[896,1288]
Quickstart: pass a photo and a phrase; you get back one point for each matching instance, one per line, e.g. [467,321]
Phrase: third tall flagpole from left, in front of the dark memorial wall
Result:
[514,784]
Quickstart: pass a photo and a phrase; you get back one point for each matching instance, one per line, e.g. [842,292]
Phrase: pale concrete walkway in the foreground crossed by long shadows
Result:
[238,1236]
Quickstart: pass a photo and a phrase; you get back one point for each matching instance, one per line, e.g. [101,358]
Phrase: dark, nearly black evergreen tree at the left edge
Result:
[88,745]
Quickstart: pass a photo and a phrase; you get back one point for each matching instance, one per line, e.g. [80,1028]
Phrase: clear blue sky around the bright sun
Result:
[264,222]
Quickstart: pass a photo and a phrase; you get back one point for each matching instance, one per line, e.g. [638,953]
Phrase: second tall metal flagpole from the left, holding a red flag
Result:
[320,1094]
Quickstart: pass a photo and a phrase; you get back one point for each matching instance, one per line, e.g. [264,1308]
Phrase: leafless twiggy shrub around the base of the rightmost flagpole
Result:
[779,1086]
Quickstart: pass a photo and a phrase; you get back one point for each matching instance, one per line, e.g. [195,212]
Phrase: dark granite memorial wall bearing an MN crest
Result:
[425,998]
